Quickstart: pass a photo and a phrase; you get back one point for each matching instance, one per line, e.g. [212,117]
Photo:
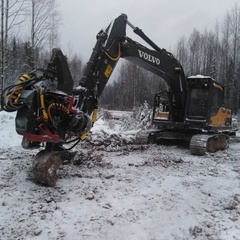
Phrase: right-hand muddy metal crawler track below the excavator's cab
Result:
[202,143]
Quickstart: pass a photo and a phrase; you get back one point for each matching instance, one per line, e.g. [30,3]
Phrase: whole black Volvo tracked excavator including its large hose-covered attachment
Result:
[54,115]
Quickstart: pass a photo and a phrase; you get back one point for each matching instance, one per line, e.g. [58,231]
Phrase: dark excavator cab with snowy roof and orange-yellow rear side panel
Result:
[204,104]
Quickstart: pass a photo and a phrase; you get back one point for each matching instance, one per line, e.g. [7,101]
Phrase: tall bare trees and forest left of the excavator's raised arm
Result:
[29,31]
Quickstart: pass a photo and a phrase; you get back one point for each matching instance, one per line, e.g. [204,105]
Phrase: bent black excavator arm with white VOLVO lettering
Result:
[113,44]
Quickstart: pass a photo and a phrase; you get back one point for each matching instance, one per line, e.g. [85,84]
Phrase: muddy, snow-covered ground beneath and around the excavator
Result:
[120,191]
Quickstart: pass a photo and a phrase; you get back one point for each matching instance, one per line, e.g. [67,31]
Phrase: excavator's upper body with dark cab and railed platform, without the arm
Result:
[203,110]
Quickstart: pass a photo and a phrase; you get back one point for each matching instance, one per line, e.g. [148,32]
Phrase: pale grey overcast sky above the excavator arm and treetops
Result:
[163,21]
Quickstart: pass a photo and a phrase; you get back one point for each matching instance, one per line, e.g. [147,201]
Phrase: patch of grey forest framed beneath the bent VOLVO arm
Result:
[132,88]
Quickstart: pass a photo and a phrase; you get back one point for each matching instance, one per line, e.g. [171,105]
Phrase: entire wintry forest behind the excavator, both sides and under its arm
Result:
[29,31]
